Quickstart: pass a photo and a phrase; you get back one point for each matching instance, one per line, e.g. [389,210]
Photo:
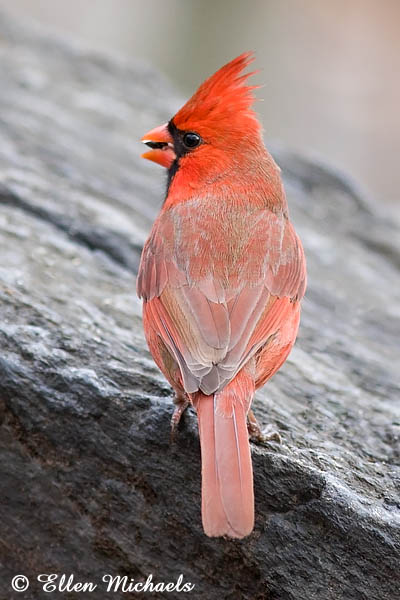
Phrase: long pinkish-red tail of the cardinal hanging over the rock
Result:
[227,474]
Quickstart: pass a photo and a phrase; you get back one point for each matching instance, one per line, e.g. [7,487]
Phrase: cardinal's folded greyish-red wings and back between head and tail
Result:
[217,286]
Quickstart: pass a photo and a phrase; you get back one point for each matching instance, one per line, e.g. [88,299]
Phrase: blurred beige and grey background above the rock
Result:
[330,69]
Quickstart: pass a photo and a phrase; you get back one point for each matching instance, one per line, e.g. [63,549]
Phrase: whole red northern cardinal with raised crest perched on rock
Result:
[221,277]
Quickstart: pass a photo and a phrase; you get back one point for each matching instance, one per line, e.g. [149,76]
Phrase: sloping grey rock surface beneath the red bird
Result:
[90,483]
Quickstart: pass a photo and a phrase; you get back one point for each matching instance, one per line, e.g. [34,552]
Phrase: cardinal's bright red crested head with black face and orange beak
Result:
[213,129]
